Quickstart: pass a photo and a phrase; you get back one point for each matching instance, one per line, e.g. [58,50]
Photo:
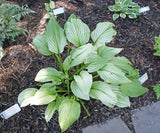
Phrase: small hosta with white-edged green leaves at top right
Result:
[124,8]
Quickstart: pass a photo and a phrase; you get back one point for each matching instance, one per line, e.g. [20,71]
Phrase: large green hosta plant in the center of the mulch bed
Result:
[90,70]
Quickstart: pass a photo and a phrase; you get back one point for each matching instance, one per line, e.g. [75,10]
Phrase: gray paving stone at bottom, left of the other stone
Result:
[115,125]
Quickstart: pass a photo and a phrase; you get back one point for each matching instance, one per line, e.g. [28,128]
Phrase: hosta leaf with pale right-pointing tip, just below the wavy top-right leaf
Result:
[108,52]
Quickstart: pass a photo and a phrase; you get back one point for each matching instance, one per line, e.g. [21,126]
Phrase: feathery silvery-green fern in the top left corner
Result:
[9,28]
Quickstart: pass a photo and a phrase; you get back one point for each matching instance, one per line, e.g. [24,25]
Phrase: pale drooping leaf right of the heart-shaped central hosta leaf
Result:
[104,93]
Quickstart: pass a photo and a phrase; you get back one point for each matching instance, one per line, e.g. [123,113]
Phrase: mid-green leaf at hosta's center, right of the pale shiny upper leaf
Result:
[94,62]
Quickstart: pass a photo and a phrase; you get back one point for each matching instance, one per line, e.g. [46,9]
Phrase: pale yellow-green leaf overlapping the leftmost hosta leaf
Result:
[44,95]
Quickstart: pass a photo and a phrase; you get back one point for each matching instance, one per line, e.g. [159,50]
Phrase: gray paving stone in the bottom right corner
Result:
[147,119]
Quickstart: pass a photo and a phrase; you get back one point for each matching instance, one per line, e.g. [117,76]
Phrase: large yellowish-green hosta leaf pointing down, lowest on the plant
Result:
[69,112]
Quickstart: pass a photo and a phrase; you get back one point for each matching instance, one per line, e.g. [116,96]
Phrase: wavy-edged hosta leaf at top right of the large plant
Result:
[103,33]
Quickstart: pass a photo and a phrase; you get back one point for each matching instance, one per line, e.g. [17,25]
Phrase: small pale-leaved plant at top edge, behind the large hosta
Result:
[49,8]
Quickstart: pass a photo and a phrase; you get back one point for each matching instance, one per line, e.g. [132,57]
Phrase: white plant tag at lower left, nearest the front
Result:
[10,111]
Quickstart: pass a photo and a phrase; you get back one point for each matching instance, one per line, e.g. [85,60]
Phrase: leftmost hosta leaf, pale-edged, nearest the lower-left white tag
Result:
[26,96]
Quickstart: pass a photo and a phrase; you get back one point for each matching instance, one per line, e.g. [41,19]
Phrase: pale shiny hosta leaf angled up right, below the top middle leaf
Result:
[79,54]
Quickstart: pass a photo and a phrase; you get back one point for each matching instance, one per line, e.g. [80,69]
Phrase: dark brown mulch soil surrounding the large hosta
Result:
[21,62]
